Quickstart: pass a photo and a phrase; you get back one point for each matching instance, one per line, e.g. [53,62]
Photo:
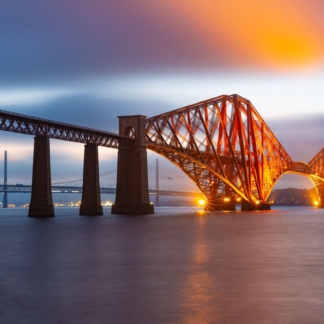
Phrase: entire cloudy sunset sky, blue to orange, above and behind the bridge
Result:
[88,61]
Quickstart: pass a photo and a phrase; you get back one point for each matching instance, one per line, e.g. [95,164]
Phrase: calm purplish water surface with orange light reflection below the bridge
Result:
[177,266]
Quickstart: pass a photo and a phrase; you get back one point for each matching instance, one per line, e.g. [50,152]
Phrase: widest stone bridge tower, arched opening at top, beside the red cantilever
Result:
[132,194]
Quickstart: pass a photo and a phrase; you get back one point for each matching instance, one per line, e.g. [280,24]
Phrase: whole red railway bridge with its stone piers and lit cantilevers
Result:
[222,144]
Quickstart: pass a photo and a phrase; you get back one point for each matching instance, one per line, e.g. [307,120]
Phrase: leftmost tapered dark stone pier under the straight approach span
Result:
[41,203]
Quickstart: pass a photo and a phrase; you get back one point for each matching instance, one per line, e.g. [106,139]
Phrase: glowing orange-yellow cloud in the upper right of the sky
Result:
[279,34]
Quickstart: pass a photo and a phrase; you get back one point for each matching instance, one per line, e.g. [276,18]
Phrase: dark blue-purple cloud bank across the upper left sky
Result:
[55,39]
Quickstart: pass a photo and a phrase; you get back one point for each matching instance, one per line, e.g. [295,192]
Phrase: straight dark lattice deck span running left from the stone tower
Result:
[23,124]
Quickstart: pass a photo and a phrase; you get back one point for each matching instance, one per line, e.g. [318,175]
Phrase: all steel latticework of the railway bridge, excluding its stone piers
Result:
[222,144]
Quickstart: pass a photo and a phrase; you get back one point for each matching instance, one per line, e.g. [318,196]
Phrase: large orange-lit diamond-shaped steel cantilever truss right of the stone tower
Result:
[224,146]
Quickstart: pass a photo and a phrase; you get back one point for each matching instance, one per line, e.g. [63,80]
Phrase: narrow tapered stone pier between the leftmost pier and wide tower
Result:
[91,201]
